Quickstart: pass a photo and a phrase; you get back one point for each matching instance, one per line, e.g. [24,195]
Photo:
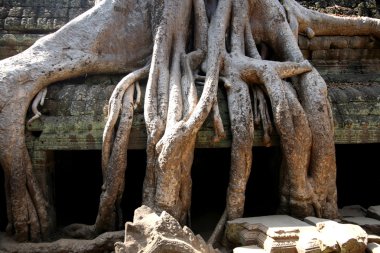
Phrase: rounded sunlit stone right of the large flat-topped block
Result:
[350,238]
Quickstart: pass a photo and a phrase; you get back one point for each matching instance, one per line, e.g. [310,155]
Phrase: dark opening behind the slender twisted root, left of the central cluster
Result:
[78,180]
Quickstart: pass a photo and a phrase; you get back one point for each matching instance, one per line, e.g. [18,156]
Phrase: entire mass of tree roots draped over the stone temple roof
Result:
[249,45]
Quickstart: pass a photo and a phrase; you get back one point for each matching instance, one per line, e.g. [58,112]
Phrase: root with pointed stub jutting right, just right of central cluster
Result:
[242,65]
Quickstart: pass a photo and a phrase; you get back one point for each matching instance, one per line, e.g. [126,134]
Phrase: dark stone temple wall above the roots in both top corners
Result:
[22,22]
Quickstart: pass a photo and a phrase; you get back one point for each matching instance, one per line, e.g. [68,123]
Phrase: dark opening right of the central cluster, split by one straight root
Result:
[210,175]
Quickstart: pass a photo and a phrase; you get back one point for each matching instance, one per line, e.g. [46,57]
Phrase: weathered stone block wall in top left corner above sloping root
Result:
[24,21]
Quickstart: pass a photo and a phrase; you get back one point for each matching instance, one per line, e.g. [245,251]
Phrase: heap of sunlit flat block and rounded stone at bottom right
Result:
[285,234]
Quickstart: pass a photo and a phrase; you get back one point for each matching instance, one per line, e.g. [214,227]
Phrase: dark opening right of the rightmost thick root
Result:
[358,174]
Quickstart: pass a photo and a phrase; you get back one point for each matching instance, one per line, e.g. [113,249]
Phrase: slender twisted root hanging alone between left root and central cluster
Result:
[114,159]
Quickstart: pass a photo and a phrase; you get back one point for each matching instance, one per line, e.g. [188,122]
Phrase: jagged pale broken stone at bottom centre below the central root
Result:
[150,232]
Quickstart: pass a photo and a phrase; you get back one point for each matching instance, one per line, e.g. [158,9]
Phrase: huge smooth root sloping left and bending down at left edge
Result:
[72,51]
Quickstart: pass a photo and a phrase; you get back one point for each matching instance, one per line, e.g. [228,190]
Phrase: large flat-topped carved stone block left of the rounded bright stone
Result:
[274,233]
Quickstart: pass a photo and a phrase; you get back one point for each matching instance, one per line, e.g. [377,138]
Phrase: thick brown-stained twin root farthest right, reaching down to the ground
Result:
[308,144]
